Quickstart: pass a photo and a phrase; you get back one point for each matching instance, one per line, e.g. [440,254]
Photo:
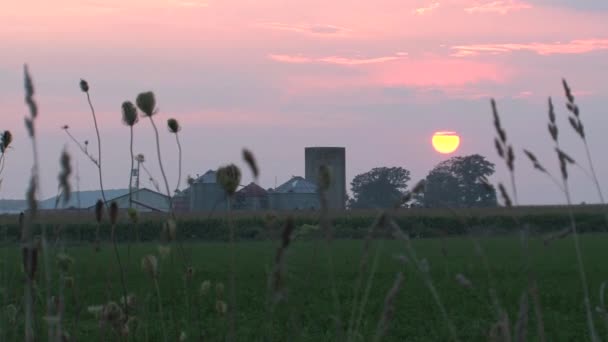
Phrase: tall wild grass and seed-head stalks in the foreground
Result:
[117,320]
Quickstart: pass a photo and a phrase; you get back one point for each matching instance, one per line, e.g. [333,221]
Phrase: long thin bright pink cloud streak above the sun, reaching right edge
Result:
[573,47]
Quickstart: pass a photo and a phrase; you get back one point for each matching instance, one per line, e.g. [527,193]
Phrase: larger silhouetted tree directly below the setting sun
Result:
[457,182]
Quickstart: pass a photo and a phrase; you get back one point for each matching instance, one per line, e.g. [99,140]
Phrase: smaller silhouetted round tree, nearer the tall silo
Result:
[381,187]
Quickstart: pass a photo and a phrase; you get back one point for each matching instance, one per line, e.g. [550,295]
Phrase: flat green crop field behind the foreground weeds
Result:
[308,311]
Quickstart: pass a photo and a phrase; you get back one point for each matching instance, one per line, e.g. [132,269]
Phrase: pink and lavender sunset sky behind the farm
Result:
[275,76]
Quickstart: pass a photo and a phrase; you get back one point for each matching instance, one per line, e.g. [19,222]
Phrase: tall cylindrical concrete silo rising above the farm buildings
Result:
[335,160]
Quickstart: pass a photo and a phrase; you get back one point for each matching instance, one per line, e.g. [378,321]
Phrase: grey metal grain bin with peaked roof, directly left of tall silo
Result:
[295,194]
